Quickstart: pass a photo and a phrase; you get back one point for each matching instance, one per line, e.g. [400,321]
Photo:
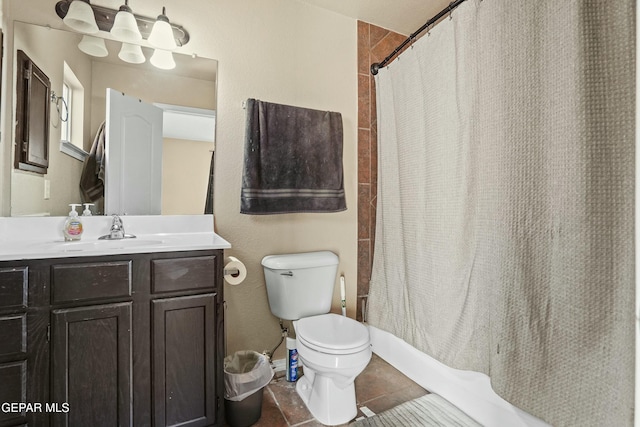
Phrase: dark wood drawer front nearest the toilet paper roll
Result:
[182,274]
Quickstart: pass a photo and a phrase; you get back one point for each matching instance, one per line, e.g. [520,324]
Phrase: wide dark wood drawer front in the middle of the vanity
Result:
[89,281]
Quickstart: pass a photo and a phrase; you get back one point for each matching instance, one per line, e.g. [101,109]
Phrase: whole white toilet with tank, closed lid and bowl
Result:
[333,349]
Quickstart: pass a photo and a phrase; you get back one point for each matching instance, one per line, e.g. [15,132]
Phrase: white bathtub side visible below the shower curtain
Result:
[470,391]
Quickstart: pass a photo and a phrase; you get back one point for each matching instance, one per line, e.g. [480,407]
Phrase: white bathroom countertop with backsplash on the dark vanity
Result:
[38,238]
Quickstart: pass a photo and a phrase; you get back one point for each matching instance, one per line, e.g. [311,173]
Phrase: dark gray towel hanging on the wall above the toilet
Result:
[292,160]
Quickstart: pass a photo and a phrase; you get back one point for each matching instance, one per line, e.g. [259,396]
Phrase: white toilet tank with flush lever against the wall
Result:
[300,285]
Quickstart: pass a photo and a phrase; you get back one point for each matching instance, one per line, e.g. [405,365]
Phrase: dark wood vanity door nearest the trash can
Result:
[184,361]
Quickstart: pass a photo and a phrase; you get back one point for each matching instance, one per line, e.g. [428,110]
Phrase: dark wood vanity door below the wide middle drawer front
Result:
[91,368]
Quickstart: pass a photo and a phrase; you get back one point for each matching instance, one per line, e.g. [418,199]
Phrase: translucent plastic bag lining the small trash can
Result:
[245,372]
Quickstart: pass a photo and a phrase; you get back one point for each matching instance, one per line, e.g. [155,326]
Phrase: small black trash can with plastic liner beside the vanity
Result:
[246,373]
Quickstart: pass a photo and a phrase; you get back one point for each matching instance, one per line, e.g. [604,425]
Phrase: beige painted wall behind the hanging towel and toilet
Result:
[280,51]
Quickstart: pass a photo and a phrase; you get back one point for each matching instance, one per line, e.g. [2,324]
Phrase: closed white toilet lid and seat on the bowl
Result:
[332,334]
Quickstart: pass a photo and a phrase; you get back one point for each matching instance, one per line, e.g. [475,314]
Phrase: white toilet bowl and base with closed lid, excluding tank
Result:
[333,350]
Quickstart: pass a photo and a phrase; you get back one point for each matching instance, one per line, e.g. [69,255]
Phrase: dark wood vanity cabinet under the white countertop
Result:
[131,340]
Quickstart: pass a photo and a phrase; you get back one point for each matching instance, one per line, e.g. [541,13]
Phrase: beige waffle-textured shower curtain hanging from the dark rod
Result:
[504,235]
